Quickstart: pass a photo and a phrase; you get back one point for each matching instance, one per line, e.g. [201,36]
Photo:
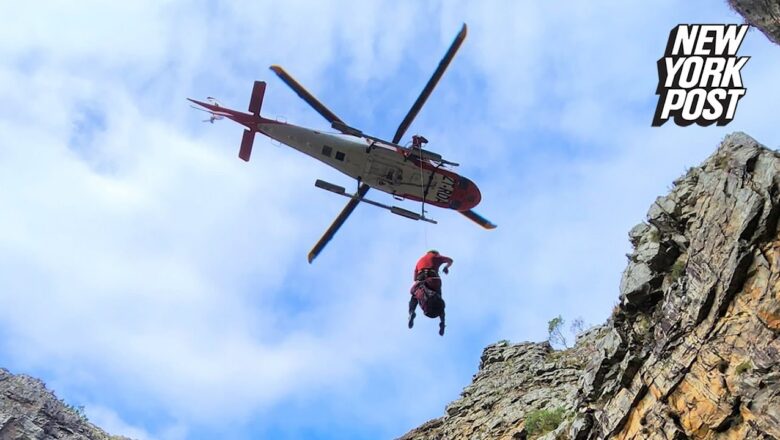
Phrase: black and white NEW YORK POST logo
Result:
[699,78]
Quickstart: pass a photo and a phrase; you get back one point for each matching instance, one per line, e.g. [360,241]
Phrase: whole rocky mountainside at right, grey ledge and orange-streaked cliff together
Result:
[691,352]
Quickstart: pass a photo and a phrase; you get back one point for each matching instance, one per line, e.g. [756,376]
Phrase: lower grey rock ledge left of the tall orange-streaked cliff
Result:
[513,381]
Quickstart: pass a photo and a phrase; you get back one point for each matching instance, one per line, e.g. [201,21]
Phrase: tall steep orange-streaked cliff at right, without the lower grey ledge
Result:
[697,331]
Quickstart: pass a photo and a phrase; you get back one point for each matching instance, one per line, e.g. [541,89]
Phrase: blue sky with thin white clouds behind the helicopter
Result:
[149,275]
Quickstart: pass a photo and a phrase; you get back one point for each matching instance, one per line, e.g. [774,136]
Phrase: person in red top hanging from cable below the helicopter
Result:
[426,290]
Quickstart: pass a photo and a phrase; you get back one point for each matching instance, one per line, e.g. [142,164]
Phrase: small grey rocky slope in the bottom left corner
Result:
[29,411]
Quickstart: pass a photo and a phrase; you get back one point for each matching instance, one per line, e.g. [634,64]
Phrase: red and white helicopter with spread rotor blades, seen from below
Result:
[406,172]
